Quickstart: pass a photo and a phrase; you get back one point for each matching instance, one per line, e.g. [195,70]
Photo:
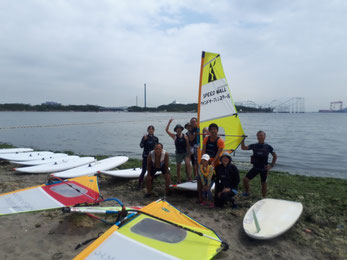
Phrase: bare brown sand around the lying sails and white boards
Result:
[54,235]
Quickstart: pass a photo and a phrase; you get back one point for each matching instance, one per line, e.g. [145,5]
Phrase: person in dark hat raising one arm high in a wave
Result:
[182,149]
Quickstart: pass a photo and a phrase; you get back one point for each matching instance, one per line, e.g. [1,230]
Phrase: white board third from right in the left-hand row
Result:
[57,166]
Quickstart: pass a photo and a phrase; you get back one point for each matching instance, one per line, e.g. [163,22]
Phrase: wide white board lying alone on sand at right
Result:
[269,218]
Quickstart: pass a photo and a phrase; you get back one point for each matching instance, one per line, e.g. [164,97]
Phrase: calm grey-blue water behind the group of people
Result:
[310,144]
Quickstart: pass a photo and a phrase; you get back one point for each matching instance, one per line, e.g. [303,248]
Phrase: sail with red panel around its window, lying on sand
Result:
[50,196]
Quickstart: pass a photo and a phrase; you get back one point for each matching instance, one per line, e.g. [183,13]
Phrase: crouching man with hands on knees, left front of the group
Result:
[158,160]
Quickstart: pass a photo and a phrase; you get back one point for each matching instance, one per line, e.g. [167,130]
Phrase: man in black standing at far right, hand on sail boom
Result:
[259,159]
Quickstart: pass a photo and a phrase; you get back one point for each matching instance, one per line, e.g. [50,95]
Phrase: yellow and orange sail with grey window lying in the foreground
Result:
[157,231]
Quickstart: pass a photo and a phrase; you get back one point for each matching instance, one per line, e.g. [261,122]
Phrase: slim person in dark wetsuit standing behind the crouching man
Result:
[147,143]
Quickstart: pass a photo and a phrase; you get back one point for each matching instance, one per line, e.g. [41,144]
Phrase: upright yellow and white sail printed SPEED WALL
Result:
[215,103]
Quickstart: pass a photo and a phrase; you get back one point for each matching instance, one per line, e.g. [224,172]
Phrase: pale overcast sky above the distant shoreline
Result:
[102,52]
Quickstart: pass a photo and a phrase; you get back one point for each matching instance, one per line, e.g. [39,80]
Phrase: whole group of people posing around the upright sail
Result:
[213,168]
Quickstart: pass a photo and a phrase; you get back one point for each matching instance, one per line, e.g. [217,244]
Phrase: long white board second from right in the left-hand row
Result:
[92,168]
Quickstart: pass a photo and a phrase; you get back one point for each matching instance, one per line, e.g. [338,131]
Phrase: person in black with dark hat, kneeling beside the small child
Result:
[227,181]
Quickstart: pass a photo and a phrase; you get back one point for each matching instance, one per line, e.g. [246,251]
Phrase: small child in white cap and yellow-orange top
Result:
[206,173]
